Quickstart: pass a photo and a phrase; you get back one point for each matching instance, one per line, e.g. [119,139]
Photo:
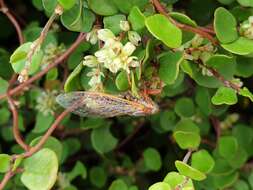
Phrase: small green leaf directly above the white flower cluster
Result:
[113,23]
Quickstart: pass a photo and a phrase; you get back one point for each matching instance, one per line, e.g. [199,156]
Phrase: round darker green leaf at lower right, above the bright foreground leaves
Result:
[227,146]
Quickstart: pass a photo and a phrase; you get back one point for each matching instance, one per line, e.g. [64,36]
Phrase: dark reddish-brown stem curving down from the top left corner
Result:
[13,20]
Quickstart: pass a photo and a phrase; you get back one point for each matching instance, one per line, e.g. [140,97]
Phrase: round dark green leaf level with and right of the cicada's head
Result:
[185,107]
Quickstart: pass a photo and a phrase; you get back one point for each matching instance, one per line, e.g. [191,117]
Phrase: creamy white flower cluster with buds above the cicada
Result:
[113,56]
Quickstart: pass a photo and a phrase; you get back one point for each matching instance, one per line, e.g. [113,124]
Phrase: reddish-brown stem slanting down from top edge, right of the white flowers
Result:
[198,30]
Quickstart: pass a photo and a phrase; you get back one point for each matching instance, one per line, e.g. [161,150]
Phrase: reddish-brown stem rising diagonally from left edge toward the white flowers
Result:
[56,62]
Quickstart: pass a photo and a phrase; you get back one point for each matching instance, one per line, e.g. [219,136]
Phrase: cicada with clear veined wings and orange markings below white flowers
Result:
[97,104]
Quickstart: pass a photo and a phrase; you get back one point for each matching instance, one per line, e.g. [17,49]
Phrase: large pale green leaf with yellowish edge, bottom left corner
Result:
[40,170]
